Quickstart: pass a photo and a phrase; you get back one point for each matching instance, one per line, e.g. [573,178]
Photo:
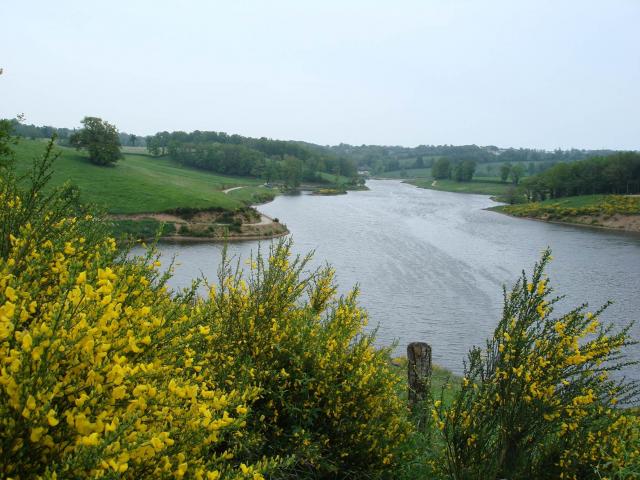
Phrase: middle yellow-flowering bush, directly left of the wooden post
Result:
[327,396]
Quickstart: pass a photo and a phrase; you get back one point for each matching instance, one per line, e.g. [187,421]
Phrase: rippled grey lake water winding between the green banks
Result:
[431,265]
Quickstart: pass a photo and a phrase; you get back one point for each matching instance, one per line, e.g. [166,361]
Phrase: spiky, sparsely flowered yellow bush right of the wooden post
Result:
[539,402]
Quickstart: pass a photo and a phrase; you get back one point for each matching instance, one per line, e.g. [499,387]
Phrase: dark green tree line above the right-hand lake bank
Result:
[614,174]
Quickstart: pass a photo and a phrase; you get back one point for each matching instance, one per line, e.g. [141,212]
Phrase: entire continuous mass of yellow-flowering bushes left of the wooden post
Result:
[105,373]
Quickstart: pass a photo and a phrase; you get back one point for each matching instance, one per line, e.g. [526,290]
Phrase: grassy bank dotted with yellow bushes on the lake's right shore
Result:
[609,211]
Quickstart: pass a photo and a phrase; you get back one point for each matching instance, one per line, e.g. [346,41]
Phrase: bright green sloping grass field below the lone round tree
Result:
[139,183]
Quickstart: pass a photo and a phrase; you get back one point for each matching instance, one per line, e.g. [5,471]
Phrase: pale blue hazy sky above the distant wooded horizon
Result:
[540,74]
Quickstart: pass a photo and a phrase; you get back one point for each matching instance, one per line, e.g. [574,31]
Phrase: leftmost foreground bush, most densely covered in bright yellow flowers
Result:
[89,383]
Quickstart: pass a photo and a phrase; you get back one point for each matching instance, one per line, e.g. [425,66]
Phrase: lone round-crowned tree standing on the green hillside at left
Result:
[100,139]
